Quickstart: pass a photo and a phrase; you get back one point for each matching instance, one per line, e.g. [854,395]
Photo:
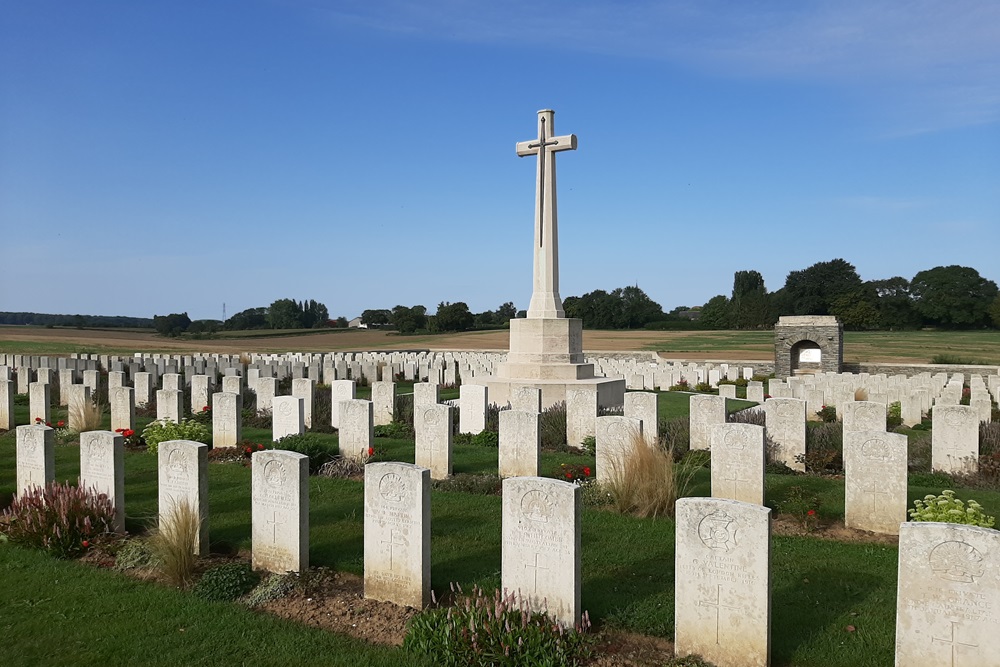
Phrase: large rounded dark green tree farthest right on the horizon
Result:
[953,296]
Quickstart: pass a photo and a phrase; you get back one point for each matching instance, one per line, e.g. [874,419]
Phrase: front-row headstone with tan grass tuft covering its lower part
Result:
[183,481]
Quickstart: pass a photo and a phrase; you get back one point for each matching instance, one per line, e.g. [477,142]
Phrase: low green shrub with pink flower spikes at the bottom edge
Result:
[494,630]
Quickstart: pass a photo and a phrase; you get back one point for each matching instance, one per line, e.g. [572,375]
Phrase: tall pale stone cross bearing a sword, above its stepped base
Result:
[545,301]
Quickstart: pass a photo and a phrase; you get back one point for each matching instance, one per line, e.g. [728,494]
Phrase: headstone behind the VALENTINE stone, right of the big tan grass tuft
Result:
[738,460]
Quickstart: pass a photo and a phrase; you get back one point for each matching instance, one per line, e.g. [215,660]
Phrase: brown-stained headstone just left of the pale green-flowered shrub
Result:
[874,480]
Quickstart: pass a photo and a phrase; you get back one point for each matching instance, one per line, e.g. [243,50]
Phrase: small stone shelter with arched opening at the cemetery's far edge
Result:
[808,344]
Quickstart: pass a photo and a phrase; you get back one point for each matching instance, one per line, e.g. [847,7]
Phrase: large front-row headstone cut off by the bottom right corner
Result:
[948,596]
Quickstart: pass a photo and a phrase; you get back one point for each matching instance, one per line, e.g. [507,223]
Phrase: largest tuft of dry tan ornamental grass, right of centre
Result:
[647,482]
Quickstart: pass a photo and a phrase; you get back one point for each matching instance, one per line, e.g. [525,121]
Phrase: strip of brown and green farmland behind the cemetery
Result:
[875,346]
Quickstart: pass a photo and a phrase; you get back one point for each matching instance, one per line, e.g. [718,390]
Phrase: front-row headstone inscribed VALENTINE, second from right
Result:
[722,586]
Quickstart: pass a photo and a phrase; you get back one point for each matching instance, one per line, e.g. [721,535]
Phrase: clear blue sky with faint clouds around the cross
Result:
[160,157]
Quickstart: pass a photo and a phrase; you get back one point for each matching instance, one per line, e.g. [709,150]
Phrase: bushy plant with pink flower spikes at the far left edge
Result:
[60,519]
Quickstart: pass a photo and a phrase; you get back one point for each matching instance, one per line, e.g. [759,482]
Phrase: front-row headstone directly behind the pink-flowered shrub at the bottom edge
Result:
[541,545]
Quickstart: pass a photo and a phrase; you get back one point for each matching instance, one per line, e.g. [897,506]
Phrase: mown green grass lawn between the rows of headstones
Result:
[55,612]
